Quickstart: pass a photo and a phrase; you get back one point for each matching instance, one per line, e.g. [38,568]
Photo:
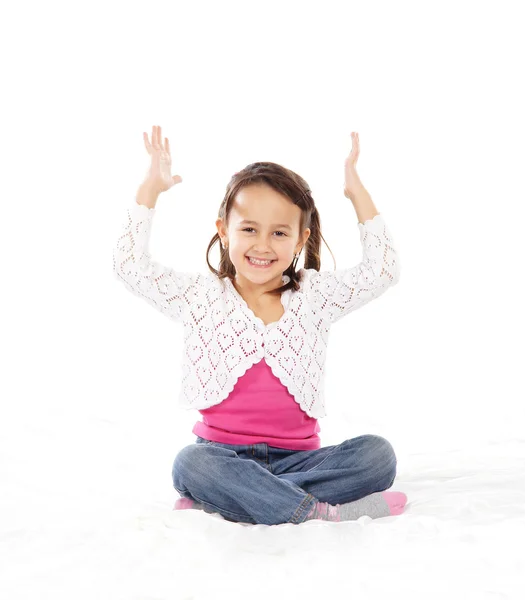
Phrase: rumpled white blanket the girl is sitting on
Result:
[86,512]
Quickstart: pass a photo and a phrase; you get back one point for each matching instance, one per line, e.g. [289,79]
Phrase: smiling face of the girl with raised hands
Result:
[272,235]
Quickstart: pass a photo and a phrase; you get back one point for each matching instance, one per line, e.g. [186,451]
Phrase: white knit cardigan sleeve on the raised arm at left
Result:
[166,290]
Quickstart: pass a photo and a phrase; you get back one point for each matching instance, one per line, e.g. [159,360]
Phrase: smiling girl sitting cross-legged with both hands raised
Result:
[255,339]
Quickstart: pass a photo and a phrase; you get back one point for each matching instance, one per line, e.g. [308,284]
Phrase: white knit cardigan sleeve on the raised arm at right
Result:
[342,291]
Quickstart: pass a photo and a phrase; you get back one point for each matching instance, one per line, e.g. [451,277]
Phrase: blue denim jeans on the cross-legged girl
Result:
[260,484]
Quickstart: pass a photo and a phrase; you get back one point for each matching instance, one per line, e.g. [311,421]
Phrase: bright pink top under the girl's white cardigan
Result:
[259,409]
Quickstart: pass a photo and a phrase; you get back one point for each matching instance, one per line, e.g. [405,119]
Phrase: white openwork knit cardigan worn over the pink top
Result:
[222,336]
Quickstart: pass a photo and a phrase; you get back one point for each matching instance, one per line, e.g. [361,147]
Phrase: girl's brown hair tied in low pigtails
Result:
[289,184]
